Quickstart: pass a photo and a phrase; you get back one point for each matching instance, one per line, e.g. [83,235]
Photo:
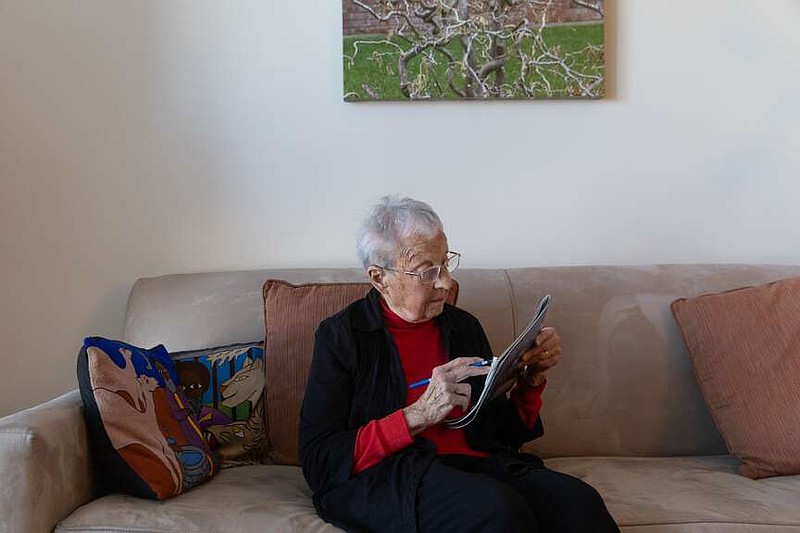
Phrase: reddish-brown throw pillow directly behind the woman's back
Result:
[292,314]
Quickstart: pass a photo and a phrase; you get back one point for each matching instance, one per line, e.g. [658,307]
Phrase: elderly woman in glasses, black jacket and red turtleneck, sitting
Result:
[374,451]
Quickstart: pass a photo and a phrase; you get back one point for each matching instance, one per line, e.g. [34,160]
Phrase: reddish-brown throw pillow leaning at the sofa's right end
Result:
[745,347]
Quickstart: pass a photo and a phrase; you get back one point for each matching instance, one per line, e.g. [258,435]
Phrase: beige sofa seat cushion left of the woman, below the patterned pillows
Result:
[255,498]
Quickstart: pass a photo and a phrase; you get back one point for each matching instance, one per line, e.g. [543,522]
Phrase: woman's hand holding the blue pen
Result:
[443,393]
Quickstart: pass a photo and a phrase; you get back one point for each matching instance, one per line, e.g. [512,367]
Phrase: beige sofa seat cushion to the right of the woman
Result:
[677,494]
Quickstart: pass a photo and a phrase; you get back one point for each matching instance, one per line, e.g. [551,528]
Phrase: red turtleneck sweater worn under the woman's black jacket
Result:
[421,349]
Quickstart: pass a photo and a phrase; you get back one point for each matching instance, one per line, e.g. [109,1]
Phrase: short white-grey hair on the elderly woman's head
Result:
[393,220]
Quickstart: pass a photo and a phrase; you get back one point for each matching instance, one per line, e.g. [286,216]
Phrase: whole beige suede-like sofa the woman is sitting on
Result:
[622,410]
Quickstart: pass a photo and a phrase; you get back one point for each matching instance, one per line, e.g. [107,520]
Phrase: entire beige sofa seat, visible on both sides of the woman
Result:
[701,494]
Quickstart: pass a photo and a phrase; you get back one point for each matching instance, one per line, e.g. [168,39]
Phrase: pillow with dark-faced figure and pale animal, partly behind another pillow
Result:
[225,390]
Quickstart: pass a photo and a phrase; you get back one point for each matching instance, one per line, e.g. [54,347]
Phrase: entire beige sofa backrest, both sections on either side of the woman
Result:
[625,385]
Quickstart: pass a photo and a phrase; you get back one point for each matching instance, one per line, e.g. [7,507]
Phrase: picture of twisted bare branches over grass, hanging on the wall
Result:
[473,49]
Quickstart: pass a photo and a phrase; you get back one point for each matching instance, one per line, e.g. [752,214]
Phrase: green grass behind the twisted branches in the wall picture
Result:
[375,66]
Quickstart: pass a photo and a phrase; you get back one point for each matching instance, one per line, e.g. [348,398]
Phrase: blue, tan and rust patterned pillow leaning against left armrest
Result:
[142,432]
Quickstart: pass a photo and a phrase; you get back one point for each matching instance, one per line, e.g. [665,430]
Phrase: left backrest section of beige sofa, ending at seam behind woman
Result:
[195,311]
